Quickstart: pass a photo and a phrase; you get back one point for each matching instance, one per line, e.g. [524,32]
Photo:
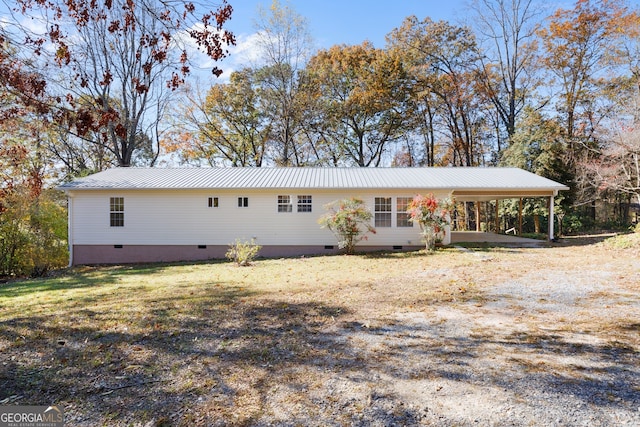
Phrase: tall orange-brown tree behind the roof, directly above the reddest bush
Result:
[441,60]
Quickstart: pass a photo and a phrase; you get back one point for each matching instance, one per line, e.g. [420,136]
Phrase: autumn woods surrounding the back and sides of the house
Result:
[90,85]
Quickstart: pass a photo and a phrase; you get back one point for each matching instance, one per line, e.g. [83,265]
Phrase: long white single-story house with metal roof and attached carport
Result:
[130,215]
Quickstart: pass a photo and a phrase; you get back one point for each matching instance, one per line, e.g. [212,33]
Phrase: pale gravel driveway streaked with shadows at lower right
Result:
[549,348]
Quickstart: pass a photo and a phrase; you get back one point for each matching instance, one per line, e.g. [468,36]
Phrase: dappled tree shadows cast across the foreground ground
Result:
[235,358]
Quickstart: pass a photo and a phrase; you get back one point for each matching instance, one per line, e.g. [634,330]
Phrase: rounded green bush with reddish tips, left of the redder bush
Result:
[349,220]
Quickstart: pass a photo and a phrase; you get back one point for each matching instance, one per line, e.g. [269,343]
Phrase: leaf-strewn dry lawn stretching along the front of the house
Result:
[205,343]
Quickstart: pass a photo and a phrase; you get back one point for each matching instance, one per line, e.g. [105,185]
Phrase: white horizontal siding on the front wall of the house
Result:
[179,217]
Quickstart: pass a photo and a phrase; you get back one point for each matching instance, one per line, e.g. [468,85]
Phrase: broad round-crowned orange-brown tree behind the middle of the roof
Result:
[361,93]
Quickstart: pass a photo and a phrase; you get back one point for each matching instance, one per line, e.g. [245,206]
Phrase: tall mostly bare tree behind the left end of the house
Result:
[123,57]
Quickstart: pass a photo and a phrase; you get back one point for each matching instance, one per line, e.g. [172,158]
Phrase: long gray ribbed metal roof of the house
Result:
[495,179]
